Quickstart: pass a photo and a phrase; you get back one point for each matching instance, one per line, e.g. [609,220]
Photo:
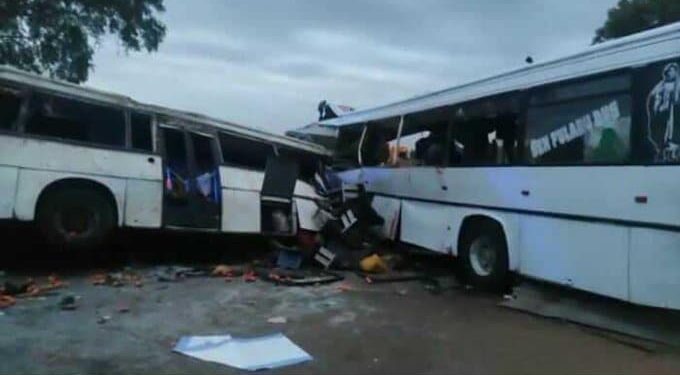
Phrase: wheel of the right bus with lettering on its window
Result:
[484,256]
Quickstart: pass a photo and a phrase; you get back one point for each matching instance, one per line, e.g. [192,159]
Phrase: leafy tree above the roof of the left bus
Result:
[59,37]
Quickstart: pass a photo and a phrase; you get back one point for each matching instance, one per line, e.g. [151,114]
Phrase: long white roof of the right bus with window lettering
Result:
[635,50]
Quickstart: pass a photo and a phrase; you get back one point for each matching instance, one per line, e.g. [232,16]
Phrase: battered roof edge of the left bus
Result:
[9,74]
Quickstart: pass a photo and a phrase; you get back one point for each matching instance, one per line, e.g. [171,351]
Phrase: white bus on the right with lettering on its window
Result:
[566,171]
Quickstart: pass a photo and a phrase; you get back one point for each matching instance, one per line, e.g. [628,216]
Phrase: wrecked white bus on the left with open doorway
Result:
[82,162]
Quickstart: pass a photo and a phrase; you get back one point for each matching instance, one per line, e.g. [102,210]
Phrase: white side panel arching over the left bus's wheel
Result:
[32,183]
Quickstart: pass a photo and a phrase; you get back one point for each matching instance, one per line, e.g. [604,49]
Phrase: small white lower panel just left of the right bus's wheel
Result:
[427,225]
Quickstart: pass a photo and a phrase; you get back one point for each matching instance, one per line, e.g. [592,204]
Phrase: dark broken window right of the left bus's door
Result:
[245,152]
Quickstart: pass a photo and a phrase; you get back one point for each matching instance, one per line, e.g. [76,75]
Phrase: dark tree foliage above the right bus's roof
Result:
[632,16]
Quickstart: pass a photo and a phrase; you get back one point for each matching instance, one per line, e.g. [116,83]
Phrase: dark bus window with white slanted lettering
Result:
[593,127]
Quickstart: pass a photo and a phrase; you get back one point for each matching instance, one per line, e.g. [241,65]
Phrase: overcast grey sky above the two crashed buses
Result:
[268,63]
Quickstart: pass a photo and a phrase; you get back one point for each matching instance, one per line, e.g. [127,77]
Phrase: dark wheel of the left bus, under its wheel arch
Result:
[76,217]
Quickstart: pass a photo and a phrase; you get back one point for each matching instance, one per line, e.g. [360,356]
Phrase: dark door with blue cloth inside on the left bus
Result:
[192,193]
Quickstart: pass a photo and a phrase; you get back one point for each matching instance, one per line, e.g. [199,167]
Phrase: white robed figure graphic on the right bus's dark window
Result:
[662,103]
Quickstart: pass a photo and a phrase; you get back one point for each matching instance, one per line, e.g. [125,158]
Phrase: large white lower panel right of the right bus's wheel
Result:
[587,256]
